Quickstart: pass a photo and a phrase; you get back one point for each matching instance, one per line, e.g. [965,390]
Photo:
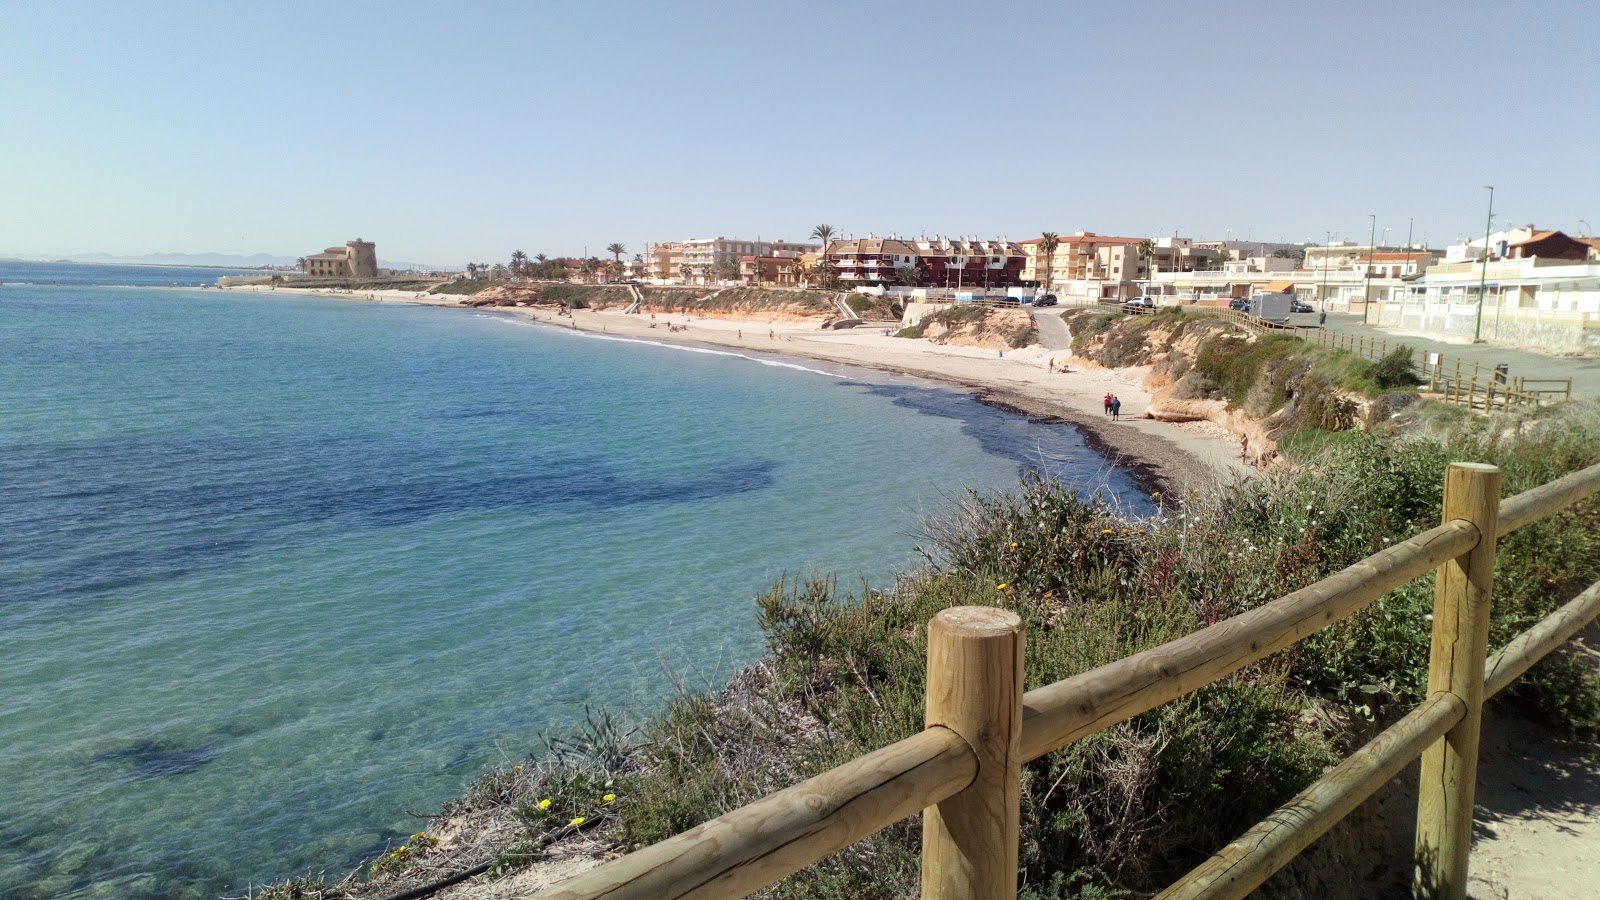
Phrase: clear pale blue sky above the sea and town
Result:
[463,132]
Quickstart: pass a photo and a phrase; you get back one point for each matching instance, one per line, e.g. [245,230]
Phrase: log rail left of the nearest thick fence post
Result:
[780,835]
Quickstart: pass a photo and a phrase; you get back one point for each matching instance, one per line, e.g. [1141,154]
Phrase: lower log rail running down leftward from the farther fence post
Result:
[1241,867]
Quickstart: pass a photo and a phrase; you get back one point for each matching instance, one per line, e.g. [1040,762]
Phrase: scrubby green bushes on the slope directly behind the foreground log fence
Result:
[1127,810]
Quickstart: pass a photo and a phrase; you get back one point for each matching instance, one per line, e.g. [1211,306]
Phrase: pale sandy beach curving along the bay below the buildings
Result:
[1159,456]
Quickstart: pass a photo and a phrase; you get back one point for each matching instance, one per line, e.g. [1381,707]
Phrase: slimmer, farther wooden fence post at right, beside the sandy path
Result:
[1462,633]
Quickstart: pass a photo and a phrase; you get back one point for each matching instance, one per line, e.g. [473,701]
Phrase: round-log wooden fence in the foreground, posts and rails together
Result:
[962,771]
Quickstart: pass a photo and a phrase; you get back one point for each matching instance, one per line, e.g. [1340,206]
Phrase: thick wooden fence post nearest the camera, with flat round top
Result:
[975,689]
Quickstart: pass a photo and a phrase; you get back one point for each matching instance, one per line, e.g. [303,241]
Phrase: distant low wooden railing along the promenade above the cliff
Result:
[1455,380]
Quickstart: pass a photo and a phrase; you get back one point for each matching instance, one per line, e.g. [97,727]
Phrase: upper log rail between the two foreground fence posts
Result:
[1068,710]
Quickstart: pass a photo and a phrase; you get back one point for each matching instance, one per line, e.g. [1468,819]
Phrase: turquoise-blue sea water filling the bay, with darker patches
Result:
[276,571]
